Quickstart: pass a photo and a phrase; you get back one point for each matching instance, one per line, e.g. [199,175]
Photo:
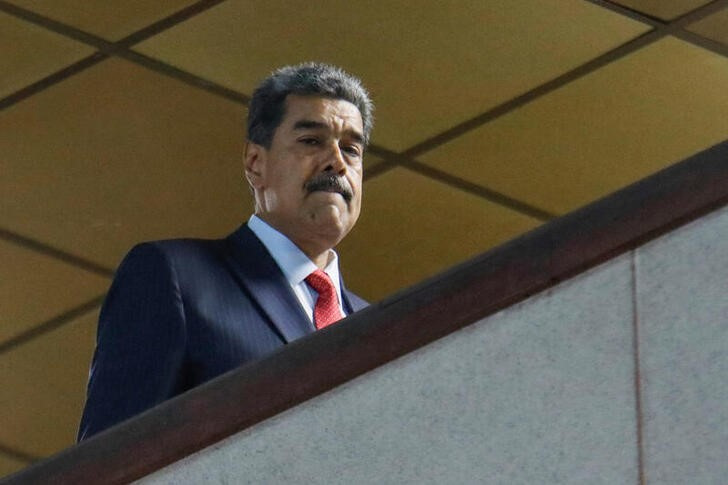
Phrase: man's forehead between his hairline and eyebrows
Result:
[334,113]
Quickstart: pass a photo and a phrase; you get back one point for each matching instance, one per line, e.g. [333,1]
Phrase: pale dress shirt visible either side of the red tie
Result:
[295,265]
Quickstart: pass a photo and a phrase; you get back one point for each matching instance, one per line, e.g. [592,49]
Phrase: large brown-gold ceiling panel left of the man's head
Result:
[127,155]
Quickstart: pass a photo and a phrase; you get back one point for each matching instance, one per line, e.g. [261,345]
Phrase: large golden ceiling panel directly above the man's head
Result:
[427,68]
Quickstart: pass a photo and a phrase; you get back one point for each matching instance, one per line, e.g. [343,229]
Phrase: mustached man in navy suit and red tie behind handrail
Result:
[181,312]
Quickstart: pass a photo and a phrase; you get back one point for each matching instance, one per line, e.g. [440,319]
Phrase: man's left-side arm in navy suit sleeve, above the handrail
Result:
[140,344]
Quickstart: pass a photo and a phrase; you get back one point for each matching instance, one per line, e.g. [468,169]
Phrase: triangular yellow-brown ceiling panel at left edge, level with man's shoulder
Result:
[35,288]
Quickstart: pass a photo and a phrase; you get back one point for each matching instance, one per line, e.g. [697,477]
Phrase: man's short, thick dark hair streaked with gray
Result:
[267,106]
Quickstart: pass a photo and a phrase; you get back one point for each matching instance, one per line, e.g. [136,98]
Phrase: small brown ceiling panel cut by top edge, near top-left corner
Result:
[110,20]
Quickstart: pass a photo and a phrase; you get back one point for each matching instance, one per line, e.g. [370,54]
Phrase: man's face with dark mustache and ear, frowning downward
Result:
[308,183]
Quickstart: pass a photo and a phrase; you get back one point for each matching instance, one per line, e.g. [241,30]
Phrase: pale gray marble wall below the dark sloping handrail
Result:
[619,375]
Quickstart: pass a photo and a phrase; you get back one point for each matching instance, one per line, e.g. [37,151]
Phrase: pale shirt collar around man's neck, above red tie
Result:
[293,262]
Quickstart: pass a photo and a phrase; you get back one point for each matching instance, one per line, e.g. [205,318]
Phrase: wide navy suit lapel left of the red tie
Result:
[259,274]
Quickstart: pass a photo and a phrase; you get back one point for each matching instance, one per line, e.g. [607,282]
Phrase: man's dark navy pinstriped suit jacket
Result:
[181,312]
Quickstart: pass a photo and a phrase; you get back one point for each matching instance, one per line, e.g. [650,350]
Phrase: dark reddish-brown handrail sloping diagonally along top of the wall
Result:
[395,326]
